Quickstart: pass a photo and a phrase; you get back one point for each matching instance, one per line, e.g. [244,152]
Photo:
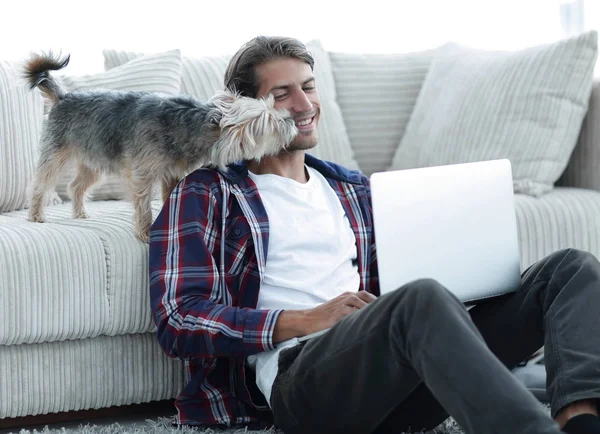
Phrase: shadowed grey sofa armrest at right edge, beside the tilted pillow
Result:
[583,170]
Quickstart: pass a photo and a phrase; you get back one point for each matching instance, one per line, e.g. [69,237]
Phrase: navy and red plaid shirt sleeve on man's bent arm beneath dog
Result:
[185,295]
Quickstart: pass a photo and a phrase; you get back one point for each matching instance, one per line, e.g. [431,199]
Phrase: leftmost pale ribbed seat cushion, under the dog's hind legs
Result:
[53,281]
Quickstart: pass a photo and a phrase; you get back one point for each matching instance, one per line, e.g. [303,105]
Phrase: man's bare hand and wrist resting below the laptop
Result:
[296,323]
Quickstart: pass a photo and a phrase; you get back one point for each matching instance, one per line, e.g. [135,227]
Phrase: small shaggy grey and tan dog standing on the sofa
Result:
[145,137]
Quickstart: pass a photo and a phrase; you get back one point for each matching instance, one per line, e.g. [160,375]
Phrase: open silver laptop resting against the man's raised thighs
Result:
[454,223]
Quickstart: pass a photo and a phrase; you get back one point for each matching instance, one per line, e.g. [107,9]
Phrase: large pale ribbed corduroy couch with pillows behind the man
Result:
[76,330]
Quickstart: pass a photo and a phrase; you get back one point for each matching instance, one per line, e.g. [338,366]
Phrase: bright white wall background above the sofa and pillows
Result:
[84,28]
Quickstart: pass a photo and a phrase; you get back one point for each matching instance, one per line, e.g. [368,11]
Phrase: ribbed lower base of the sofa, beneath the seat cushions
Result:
[86,374]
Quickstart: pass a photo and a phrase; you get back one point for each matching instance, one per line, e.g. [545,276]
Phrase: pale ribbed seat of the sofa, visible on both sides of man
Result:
[74,279]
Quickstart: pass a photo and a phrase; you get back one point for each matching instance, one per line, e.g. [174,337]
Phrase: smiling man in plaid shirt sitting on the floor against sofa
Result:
[244,263]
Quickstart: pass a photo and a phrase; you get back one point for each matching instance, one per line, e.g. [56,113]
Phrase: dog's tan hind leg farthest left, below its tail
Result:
[52,160]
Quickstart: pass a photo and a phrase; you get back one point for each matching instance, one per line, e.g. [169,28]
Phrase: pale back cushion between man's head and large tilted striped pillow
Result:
[377,94]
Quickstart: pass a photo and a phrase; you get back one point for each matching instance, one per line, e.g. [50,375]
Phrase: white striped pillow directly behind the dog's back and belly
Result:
[154,73]
